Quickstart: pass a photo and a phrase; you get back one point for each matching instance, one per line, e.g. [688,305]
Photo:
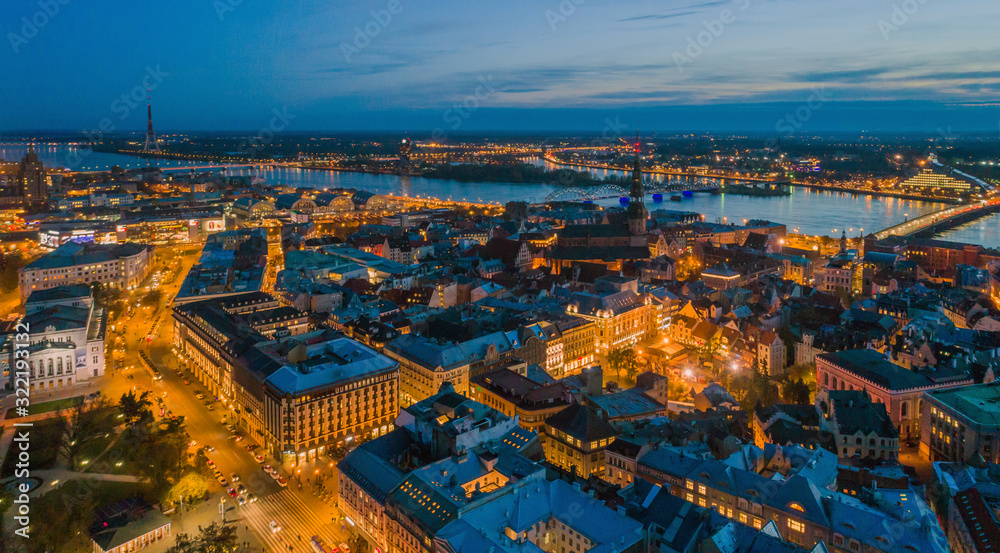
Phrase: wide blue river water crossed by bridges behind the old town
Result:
[806,211]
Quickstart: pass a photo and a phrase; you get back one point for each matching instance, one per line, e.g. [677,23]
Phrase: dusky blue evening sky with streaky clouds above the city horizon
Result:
[914,65]
